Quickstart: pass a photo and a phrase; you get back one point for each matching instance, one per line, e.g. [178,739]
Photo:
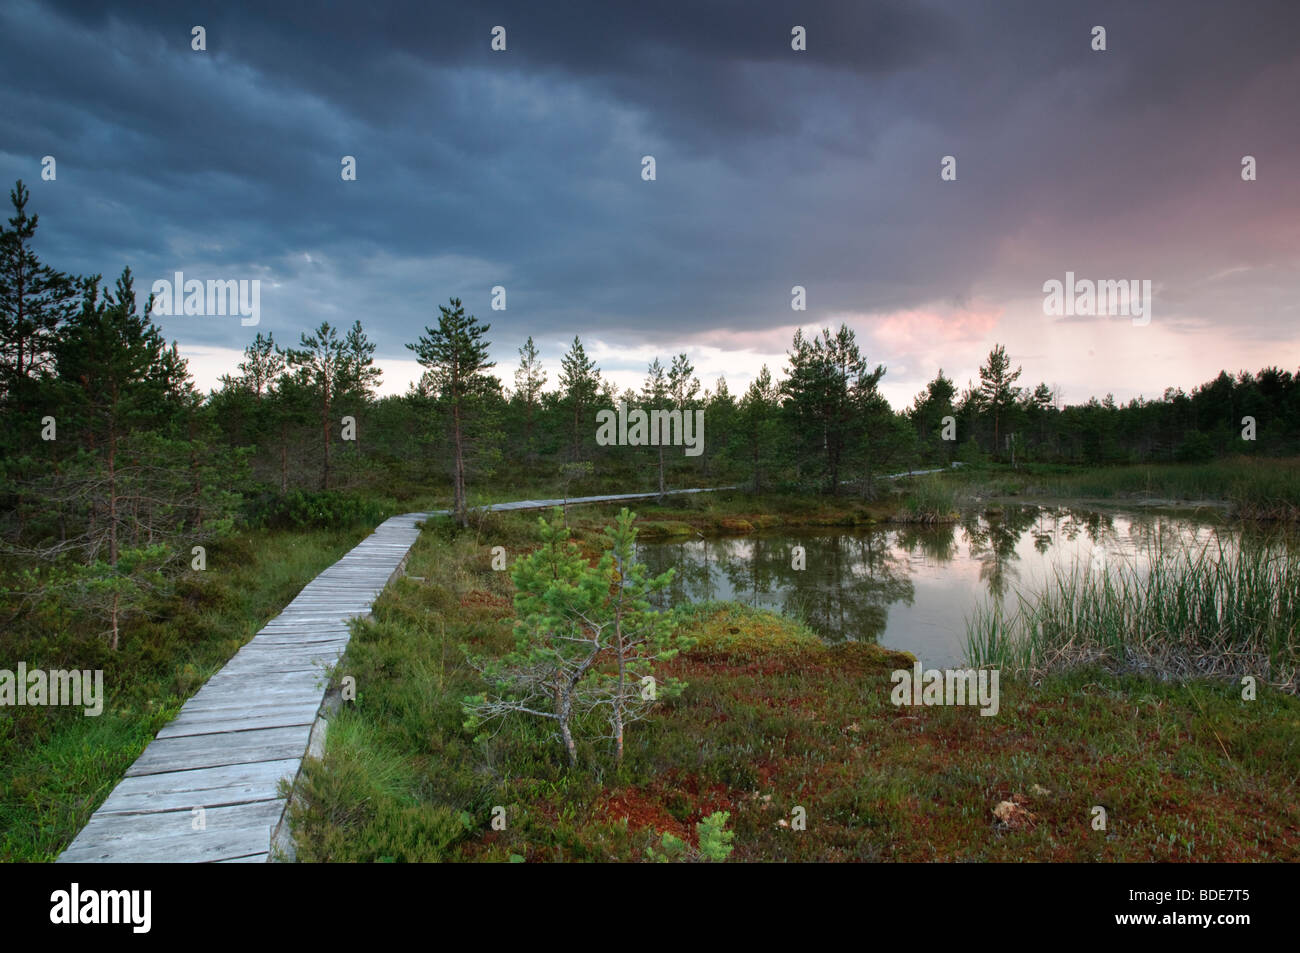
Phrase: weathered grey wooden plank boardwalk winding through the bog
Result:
[252,724]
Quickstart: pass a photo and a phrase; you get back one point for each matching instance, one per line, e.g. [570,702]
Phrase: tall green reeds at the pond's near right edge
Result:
[1221,610]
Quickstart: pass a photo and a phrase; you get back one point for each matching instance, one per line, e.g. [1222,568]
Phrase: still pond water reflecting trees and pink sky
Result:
[912,588]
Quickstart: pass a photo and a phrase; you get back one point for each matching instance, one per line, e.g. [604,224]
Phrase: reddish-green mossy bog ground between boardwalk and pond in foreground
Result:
[774,720]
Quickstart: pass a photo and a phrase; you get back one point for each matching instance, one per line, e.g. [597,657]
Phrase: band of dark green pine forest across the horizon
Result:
[112,460]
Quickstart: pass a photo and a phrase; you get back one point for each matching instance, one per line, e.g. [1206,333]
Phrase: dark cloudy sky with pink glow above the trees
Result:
[774,168]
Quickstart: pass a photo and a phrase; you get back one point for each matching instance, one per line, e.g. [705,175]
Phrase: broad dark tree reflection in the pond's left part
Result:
[843,595]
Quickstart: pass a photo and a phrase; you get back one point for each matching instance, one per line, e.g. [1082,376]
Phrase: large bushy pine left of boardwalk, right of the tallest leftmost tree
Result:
[145,486]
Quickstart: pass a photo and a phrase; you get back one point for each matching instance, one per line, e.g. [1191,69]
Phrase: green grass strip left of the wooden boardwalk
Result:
[57,765]
